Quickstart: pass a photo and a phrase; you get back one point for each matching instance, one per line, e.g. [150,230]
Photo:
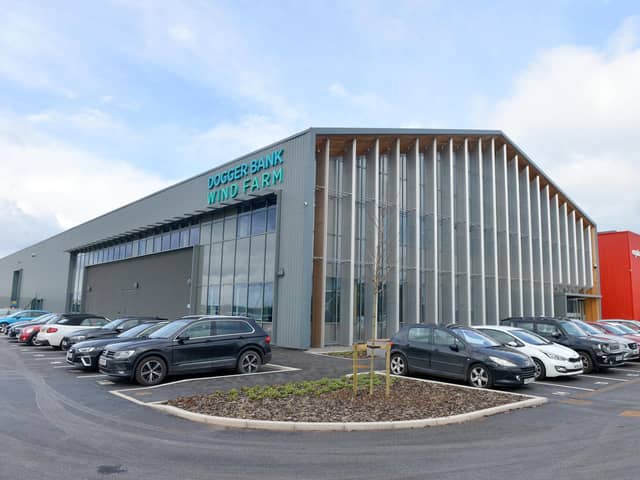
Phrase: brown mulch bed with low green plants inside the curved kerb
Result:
[409,400]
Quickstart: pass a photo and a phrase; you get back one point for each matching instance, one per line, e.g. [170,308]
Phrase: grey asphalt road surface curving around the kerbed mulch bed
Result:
[60,423]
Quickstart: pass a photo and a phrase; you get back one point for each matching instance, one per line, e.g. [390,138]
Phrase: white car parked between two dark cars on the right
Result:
[551,359]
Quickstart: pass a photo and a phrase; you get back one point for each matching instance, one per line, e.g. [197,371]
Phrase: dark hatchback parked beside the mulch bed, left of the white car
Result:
[458,352]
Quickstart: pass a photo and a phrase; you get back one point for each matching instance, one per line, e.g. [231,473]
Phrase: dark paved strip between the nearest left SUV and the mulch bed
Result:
[308,366]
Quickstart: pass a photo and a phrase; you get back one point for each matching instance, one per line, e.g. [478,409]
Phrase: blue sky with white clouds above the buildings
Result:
[104,102]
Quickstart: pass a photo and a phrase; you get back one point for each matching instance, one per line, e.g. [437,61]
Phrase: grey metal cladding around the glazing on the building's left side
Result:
[49,259]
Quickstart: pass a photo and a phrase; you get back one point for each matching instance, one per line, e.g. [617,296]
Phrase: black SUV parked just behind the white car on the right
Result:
[595,353]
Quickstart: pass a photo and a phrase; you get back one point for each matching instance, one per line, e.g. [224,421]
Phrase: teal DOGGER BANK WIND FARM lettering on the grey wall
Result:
[246,177]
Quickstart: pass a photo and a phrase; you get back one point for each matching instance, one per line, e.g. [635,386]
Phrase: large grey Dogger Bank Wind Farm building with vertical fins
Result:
[309,234]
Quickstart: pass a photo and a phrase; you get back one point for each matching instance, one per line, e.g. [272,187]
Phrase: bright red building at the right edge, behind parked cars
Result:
[620,274]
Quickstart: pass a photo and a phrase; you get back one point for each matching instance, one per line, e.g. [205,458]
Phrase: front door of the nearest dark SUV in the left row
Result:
[191,349]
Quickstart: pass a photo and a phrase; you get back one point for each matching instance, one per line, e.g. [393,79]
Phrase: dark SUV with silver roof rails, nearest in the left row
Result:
[189,345]
